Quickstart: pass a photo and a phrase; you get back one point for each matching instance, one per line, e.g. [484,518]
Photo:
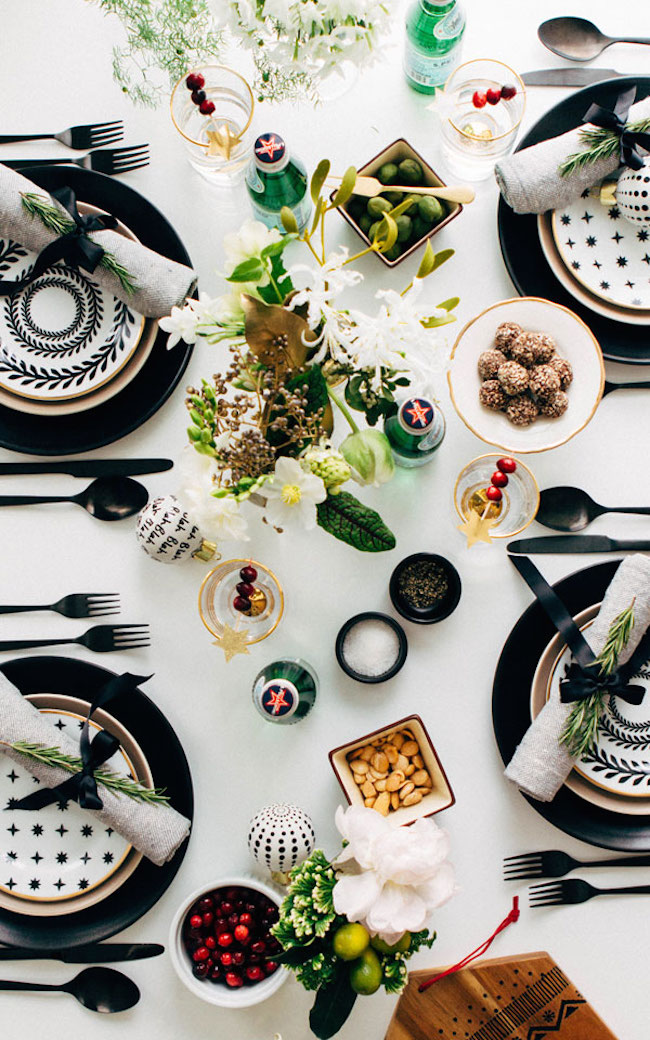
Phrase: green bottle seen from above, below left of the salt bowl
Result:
[285,691]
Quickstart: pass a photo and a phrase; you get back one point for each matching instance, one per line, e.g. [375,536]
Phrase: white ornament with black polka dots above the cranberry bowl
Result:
[280,838]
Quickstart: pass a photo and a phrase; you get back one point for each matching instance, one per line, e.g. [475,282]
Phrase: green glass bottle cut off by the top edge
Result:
[433,45]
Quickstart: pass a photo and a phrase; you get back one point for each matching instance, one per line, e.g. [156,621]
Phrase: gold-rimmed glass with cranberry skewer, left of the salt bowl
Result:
[218,594]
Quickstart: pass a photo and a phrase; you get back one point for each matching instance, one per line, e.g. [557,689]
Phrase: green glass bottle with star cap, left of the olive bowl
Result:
[275,179]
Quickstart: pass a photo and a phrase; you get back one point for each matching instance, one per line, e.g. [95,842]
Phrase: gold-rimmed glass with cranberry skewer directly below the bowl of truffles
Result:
[519,503]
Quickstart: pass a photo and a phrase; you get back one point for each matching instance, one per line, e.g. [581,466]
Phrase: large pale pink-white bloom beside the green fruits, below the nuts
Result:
[391,878]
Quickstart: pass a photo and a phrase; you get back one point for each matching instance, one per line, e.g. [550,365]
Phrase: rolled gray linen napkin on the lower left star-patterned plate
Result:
[155,830]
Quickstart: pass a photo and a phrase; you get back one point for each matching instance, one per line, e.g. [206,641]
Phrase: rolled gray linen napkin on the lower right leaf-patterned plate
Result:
[540,765]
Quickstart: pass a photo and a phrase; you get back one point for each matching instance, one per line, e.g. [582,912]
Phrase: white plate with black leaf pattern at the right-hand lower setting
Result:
[620,763]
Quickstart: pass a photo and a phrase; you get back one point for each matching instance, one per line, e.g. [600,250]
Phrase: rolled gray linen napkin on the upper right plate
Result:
[531,183]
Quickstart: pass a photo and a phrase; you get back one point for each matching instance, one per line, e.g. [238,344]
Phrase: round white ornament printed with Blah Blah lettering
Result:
[167,533]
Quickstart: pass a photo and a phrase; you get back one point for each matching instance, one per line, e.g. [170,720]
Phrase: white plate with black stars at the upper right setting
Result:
[608,254]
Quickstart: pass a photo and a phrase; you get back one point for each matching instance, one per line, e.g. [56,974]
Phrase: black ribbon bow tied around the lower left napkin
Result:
[82,787]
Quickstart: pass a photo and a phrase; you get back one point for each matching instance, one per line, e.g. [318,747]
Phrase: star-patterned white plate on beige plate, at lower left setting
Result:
[62,860]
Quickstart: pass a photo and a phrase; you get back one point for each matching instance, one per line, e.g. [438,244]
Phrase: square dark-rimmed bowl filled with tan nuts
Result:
[396,771]
